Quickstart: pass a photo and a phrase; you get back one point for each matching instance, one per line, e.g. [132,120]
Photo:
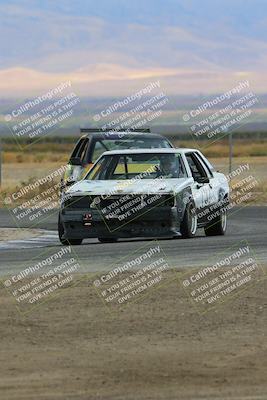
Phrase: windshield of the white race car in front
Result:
[140,166]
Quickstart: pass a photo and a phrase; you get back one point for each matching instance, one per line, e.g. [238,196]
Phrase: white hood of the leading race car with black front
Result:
[144,186]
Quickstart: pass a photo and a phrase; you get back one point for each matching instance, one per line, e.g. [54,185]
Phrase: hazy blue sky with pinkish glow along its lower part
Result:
[112,47]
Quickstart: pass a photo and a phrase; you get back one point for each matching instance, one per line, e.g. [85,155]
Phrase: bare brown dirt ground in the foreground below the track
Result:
[158,348]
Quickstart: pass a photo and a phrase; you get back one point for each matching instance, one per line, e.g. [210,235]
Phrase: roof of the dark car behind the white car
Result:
[123,134]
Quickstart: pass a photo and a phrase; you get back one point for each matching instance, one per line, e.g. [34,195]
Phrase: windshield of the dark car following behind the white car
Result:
[128,143]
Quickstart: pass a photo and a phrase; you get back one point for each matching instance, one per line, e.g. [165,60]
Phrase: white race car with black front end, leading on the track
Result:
[145,193]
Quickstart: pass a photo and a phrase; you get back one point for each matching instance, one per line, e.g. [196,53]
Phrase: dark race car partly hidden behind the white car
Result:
[95,141]
